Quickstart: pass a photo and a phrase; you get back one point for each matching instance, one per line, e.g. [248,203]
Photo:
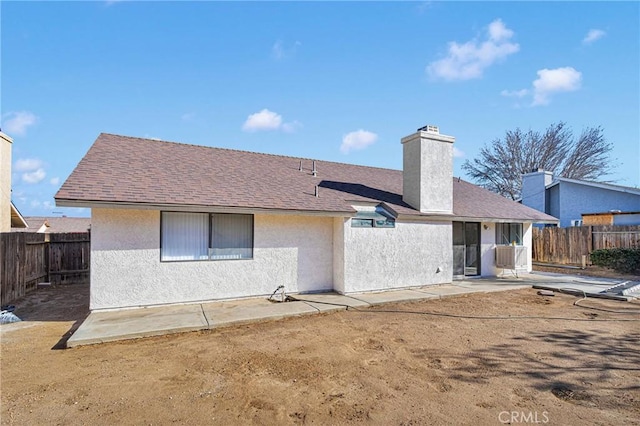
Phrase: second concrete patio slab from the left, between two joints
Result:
[220,314]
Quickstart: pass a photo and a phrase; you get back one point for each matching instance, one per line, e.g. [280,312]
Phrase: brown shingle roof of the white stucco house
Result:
[134,172]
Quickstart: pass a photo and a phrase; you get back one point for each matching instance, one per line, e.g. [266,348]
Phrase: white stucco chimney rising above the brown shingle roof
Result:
[427,176]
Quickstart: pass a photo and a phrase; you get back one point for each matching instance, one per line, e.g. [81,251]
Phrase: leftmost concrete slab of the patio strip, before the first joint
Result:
[110,326]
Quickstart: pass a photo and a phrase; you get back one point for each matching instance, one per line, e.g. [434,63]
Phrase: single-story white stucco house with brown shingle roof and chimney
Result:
[178,223]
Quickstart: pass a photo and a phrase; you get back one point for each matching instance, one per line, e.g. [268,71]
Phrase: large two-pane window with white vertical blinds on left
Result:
[204,236]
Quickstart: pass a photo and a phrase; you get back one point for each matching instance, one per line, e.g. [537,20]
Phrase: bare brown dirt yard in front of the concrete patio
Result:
[348,367]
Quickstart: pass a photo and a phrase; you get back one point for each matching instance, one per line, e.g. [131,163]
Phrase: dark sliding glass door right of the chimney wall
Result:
[466,249]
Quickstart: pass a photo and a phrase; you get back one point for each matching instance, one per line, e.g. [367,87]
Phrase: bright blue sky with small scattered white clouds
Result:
[325,80]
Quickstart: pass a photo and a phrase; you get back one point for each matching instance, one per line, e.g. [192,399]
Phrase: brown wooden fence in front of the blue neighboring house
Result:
[566,246]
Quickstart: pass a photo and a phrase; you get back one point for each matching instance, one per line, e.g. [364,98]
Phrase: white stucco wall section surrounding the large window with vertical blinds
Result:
[126,271]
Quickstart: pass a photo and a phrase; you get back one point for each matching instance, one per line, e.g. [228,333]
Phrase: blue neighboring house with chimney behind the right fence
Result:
[570,199]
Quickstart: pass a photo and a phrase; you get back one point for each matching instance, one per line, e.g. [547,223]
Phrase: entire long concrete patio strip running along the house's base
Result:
[128,324]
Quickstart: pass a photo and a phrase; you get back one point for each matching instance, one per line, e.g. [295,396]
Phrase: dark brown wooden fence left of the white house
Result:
[27,259]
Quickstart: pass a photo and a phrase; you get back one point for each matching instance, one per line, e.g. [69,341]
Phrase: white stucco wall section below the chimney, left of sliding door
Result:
[405,256]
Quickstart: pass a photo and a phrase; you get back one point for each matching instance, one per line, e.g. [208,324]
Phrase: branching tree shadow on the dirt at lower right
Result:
[548,359]
